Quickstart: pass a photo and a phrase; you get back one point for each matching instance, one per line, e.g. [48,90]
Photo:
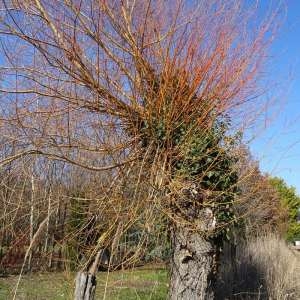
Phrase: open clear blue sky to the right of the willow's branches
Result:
[278,146]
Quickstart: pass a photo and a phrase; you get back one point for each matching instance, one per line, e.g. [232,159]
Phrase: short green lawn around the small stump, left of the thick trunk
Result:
[131,284]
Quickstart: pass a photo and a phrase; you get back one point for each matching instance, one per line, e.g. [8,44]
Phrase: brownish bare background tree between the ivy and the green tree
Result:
[258,203]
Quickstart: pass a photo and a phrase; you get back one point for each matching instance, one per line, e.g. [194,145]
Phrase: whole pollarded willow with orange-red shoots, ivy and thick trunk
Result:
[105,84]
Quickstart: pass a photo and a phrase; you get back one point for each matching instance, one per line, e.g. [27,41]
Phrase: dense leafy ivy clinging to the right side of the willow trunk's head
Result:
[207,161]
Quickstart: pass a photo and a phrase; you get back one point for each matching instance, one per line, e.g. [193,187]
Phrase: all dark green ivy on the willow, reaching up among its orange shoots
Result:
[197,153]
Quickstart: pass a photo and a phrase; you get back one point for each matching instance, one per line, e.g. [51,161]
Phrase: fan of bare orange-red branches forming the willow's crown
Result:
[77,76]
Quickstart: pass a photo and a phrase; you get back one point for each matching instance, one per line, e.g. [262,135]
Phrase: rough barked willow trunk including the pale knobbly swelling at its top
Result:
[193,262]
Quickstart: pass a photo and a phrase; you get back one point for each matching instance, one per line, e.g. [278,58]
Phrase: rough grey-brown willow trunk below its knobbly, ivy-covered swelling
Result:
[192,266]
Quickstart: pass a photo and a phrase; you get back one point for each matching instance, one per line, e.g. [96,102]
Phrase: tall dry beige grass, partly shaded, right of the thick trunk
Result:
[264,268]
